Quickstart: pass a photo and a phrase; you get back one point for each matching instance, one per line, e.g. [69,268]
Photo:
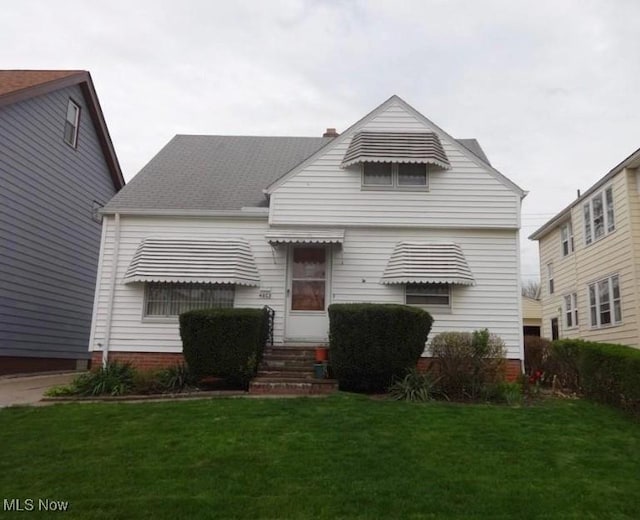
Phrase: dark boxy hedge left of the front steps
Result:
[225,343]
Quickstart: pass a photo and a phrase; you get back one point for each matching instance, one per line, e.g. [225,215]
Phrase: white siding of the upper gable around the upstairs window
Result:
[465,196]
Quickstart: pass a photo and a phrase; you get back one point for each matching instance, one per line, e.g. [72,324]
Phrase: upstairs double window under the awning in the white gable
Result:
[395,175]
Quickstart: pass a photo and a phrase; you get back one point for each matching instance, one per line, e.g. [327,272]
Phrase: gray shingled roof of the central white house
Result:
[215,172]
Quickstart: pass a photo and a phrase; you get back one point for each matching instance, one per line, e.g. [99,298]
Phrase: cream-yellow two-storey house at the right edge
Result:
[590,261]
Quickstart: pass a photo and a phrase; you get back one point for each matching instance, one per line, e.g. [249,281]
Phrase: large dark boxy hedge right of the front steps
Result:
[372,344]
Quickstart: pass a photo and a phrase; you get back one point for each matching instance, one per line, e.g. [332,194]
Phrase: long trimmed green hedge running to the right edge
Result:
[610,374]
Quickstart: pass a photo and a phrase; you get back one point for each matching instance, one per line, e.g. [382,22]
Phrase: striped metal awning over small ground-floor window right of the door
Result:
[426,262]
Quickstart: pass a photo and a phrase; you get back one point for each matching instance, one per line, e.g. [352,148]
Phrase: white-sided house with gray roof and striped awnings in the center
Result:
[393,210]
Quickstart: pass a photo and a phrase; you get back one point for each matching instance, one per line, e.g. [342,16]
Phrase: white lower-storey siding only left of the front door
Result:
[130,330]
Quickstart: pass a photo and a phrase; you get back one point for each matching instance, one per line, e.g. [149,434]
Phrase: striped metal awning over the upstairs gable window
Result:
[396,147]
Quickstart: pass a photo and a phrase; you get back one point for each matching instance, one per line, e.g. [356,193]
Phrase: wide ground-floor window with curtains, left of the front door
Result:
[172,299]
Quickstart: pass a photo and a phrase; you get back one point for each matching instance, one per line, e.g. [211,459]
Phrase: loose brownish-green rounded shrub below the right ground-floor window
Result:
[467,363]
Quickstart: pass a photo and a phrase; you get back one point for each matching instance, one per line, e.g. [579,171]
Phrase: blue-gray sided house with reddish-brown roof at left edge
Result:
[57,169]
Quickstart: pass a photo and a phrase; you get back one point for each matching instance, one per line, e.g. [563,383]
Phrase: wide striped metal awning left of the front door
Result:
[224,261]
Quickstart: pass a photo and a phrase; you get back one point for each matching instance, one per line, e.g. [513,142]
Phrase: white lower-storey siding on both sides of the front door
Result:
[358,265]
